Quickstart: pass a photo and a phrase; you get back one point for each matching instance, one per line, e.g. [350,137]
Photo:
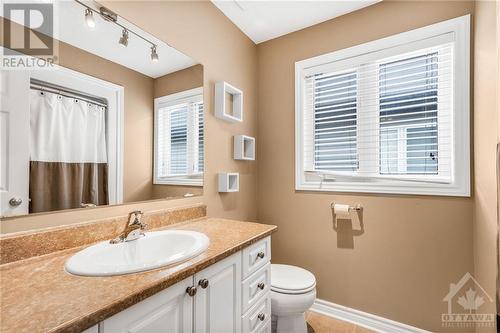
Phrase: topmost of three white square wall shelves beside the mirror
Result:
[221,112]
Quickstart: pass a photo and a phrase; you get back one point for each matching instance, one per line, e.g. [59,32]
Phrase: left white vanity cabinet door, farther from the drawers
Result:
[169,311]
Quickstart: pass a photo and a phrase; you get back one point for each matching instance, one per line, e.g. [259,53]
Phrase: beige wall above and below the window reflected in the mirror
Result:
[172,83]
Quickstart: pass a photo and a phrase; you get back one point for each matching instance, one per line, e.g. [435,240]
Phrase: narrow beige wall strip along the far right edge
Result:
[486,99]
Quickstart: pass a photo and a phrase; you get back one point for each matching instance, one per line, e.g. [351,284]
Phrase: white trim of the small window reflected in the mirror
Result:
[164,101]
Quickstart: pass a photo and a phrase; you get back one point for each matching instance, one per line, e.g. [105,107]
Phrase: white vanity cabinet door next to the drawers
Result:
[218,305]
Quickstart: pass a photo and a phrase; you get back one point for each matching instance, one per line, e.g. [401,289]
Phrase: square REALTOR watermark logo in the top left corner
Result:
[29,35]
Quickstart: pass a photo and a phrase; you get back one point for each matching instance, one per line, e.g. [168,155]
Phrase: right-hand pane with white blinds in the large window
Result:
[409,110]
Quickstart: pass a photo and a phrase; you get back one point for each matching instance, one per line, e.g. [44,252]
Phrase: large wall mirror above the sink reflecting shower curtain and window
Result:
[120,119]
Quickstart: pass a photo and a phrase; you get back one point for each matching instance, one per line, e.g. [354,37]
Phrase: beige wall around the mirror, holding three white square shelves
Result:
[201,31]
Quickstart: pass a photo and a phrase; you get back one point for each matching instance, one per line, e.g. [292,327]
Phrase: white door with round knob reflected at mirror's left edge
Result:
[14,142]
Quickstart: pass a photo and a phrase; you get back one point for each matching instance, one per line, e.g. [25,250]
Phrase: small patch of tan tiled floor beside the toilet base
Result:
[317,323]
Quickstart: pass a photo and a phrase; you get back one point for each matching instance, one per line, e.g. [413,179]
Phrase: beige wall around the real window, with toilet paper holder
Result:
[412,247]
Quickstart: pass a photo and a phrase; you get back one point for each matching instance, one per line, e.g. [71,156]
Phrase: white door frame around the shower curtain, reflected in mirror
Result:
[114,94]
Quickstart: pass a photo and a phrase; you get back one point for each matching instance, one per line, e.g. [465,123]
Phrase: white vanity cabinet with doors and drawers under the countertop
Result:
[232,295]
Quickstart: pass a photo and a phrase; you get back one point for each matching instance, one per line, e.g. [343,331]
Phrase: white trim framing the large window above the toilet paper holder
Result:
[460,186]
